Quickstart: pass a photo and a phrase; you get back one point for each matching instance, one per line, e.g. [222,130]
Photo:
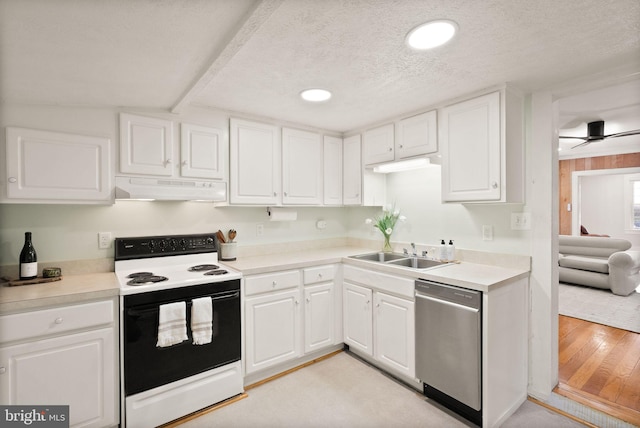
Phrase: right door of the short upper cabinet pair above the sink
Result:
[417,135]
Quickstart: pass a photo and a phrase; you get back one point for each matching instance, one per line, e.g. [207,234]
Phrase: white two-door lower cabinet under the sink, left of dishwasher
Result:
[377,323]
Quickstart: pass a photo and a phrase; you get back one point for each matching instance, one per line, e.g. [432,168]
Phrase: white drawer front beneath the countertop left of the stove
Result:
[55,320]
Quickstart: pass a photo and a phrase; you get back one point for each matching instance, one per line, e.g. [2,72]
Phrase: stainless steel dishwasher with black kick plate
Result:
[449,346]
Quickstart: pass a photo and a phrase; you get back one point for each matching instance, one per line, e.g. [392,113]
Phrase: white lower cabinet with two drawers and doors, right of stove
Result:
[279,327]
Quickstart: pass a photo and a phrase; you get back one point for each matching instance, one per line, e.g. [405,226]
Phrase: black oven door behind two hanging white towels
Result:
[147,366]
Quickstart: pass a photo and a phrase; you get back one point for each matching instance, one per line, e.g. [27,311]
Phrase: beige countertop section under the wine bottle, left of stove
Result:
[70,289]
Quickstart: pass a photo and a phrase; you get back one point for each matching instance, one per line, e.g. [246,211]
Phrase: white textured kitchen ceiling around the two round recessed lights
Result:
[254,57]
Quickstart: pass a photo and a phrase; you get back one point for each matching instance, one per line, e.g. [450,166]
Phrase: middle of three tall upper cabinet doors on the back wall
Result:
[301,167]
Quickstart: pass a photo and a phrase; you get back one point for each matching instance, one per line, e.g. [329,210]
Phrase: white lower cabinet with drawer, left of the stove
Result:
[63,356]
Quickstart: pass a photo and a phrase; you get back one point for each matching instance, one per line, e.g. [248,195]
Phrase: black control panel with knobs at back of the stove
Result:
[159,246]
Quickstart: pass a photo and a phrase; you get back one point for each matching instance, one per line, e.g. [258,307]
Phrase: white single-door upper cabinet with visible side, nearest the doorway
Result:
[481,143]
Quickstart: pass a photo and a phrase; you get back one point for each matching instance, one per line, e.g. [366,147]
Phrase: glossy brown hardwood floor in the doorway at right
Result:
[599,366]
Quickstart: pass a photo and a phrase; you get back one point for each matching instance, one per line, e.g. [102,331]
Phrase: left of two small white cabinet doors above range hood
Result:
[146,145]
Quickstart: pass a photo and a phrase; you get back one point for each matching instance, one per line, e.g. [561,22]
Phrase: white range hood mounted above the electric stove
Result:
[167,189]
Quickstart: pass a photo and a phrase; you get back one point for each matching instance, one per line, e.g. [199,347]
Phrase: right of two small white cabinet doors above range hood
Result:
[202,152]
